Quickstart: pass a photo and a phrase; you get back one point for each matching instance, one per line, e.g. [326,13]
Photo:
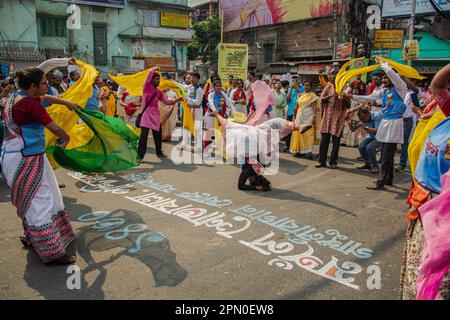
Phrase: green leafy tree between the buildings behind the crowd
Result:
[206,37]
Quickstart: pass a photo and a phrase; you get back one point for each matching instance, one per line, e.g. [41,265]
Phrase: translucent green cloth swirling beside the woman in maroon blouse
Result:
[113,146]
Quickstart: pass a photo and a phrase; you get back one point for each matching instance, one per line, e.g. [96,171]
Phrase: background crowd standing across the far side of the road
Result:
[354,118]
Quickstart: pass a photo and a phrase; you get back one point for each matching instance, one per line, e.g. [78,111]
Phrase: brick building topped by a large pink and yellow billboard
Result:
[312,36]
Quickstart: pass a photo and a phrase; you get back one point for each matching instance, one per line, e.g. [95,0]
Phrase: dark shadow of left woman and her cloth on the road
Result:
[102,234]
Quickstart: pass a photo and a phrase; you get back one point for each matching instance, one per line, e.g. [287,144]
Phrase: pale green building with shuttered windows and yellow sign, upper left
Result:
[113,35]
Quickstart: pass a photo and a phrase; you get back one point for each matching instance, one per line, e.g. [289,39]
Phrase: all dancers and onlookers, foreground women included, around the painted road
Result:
[377,115]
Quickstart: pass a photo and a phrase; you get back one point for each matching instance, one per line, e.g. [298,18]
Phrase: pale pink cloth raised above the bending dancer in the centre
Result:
[263,98]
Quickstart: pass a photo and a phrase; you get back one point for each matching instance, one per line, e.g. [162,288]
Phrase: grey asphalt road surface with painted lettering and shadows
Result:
[152,233]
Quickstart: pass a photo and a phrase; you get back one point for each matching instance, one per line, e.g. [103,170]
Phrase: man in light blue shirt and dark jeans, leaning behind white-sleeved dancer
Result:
[370,121]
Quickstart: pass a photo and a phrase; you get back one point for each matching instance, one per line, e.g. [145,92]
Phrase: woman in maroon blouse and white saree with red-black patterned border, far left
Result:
[35,192]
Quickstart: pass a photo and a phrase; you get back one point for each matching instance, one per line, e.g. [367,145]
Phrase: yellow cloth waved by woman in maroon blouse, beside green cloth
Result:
[78,93]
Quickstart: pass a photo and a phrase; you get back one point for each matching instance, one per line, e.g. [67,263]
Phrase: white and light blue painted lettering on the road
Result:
[285,255]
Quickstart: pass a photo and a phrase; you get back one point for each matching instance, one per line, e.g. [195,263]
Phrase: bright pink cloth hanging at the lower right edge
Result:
[435,215]
